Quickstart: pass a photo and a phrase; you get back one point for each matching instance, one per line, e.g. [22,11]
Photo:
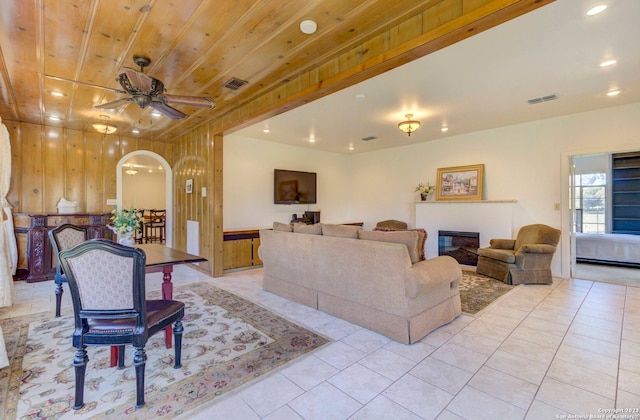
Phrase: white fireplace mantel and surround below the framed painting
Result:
[491,218]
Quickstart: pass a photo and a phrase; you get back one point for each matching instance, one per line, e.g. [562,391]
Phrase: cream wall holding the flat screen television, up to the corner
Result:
[248,183]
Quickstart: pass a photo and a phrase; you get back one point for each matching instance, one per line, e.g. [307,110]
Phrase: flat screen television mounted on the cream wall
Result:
[294,187]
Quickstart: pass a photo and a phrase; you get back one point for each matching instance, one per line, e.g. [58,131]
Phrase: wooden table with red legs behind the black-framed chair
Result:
[161,259]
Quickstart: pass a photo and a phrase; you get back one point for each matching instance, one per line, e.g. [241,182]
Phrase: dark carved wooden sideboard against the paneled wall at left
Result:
[32,237]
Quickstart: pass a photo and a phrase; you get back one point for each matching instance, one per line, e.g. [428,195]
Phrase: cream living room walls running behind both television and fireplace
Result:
[525,162]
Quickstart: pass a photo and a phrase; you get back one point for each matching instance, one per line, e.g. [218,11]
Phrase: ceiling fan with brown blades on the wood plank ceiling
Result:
[146,91]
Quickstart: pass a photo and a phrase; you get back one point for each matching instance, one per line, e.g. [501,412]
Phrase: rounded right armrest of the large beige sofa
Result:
[429,274]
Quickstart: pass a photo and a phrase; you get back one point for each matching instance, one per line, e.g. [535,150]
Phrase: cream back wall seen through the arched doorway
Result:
[144,190]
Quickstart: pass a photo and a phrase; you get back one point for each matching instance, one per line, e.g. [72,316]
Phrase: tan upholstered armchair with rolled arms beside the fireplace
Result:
[526,259]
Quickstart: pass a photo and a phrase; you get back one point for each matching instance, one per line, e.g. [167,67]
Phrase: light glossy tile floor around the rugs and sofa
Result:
[540,352]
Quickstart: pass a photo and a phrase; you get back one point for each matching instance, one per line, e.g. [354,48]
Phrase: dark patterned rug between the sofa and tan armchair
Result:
[478,291]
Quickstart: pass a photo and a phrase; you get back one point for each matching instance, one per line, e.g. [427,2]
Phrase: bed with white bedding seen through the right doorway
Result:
[609,248]
